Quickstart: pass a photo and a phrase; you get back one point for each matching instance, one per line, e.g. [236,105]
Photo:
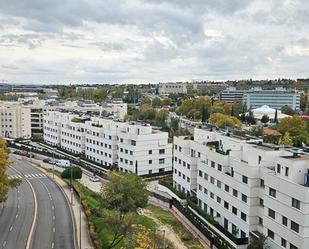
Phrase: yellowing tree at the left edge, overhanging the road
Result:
[5,182]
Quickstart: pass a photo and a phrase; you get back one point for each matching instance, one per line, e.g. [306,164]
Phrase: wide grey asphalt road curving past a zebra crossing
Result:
[54,227]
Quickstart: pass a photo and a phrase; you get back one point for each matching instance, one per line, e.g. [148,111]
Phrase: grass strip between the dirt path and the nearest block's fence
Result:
[168,219]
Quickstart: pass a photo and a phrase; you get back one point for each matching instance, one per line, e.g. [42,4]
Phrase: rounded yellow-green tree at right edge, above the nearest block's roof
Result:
[295,126]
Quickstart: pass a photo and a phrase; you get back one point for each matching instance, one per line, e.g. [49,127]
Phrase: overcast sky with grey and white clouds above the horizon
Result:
[141,41]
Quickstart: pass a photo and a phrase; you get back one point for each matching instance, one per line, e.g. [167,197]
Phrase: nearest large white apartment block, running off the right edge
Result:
[249,187]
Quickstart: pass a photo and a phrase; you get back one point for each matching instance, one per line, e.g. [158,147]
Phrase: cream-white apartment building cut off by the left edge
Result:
[15,120]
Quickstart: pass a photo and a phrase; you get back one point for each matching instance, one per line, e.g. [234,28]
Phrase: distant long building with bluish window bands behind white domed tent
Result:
[276,99]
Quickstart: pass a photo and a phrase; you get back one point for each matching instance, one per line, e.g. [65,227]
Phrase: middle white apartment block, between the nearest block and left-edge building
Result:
[134,147]
